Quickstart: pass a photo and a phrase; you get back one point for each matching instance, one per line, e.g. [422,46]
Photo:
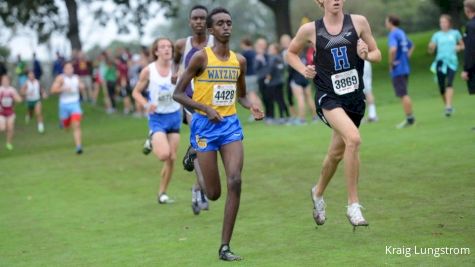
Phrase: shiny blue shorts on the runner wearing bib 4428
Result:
[206,135]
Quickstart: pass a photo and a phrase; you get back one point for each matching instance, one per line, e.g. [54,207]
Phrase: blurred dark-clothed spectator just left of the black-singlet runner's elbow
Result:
[275,81]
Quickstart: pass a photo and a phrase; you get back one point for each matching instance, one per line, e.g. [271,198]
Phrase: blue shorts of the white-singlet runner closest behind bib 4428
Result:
[165,123]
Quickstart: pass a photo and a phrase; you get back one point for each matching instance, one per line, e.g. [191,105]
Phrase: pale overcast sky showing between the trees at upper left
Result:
[25,42]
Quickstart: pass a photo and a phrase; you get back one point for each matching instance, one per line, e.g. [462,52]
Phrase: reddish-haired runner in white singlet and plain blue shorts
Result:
[164,119]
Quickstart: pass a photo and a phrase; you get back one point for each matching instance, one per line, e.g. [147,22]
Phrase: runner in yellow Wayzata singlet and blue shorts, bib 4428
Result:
[218,75]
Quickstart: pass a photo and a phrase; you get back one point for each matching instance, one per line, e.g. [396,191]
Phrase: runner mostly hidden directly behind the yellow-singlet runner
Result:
[184,49]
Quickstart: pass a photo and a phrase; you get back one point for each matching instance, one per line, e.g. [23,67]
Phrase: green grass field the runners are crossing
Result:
[99,209]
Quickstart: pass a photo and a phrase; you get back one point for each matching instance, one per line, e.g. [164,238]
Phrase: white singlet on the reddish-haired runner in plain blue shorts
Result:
[161,91]
